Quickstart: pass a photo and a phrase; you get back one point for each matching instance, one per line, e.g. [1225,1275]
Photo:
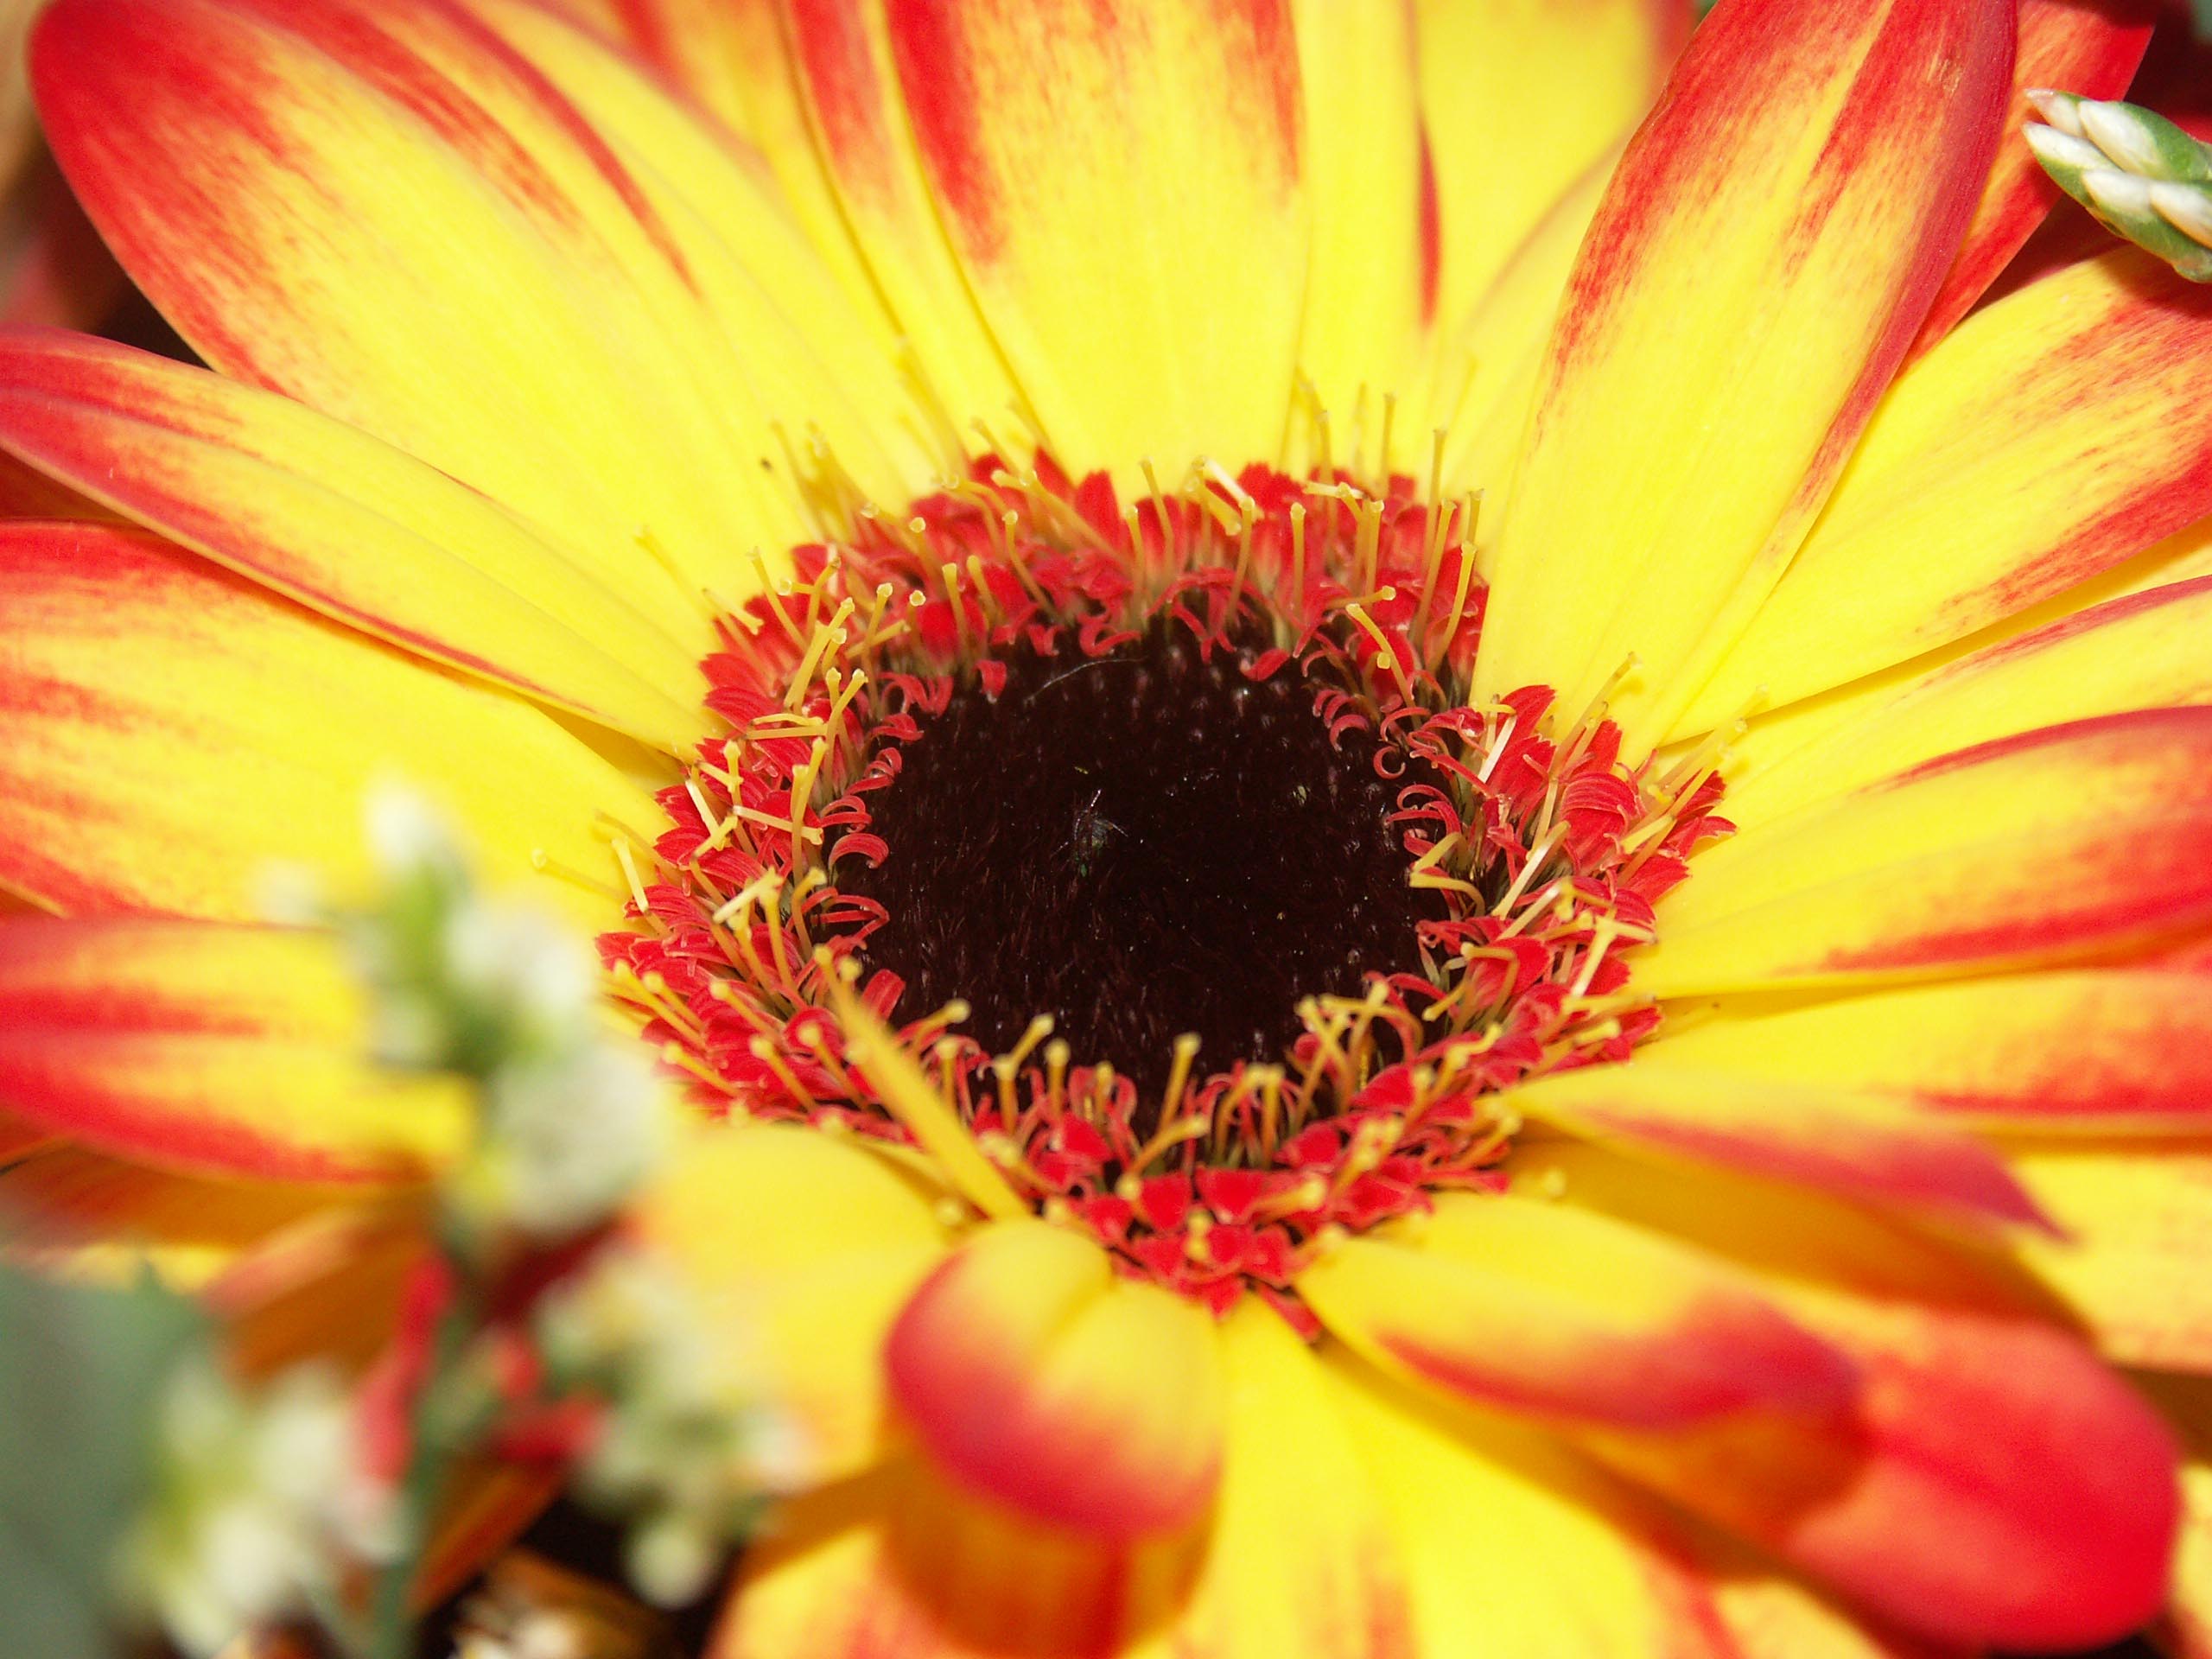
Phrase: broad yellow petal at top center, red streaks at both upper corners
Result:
[1162,138]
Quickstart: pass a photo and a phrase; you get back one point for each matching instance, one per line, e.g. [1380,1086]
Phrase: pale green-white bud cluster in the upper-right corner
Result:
[2142,176]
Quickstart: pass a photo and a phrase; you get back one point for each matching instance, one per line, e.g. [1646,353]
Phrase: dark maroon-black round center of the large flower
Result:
[1140,844]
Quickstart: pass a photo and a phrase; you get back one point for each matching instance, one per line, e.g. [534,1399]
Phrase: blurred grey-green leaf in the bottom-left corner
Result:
[81,1373]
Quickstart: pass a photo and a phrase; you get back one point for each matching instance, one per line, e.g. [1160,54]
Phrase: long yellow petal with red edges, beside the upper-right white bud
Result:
[1764,255]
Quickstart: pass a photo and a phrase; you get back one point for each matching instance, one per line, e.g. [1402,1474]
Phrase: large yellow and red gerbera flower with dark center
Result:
[1695,1138]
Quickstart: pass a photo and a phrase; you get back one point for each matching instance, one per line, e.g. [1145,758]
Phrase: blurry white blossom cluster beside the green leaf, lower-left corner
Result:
[258,1496]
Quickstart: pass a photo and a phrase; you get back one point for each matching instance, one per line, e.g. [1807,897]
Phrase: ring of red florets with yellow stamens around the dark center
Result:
[1525,857]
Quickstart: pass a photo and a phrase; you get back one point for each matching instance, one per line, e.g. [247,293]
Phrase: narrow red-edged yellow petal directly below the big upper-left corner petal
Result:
[346,525]
